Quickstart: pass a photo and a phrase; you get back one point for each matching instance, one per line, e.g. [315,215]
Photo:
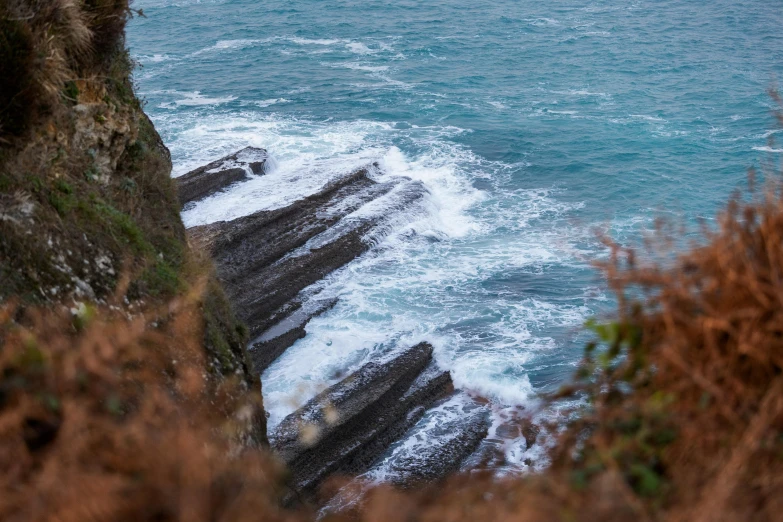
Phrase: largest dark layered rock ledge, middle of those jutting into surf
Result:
[265,259]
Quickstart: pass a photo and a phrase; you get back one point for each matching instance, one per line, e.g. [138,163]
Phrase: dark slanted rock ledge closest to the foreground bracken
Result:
[348,426]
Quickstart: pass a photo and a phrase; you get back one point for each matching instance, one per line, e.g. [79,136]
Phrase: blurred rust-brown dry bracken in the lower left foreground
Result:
[105,417]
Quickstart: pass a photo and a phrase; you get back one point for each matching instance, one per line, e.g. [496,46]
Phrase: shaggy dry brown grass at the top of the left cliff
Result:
[45,45]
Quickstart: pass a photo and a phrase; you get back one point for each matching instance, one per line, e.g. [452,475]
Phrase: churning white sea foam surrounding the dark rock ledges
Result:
[423,278]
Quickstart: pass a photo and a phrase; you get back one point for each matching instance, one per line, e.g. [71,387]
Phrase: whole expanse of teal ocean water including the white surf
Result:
[532,124]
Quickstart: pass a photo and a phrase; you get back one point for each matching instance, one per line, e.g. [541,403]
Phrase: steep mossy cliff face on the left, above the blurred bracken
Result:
[88,210]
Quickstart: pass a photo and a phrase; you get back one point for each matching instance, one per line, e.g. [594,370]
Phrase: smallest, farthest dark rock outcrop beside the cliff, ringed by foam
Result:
[209,179]
